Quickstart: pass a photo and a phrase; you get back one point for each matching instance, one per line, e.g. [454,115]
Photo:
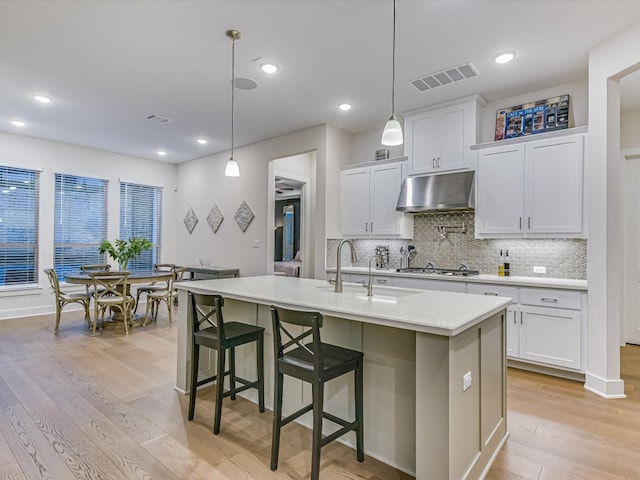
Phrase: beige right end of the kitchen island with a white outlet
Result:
[459,431]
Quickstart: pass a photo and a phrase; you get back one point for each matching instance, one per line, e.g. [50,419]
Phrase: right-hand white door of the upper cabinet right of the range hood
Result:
[554,198]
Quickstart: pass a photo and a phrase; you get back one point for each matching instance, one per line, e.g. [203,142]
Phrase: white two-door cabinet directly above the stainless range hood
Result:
[438,139]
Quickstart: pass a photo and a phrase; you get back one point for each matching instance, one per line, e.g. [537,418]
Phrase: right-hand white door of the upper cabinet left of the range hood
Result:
[385,185]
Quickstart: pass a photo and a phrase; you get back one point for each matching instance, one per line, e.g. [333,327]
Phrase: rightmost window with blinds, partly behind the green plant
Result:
[140,216]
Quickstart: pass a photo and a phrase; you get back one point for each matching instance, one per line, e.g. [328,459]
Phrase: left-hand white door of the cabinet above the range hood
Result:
[420,144]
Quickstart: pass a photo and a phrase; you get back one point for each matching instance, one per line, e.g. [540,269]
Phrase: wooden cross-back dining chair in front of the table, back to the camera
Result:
[110,291]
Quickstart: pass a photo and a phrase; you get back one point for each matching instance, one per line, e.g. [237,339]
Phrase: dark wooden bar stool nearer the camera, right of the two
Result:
[316,363]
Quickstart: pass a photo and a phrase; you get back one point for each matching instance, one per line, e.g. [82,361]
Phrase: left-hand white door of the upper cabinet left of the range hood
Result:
[354,192]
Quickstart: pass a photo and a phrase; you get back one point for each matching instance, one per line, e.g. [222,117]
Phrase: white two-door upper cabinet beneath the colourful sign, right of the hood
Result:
[531,188]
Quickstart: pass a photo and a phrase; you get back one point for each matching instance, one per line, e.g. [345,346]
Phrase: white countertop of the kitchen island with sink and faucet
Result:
[441,313]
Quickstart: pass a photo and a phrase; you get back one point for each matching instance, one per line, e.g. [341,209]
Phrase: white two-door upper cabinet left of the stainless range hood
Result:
[369,195]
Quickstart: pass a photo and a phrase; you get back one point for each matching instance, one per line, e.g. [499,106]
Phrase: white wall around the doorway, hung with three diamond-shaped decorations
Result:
[201,184]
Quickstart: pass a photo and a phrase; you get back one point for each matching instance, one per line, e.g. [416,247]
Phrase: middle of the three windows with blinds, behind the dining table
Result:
[80,217]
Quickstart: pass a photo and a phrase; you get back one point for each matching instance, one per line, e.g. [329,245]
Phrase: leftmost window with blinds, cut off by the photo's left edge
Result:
[19,207]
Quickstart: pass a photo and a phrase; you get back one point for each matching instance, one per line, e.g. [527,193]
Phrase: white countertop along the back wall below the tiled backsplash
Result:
[542,282]
